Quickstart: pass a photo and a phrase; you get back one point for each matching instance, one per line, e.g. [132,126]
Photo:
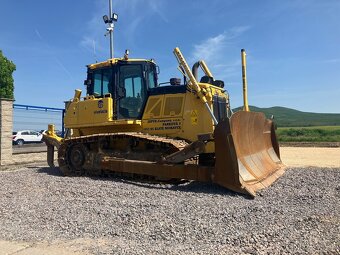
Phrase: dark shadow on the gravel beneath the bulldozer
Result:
[186,186]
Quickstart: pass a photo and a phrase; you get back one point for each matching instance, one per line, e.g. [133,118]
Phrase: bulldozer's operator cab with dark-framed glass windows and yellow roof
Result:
[127,82]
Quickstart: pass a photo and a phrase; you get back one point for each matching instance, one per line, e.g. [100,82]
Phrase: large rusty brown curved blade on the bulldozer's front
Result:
[247,153]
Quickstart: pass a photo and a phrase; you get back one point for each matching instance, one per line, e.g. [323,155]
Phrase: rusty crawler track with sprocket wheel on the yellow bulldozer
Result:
[82,155]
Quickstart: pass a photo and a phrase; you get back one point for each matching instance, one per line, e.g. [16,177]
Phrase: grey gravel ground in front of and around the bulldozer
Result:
[298,214]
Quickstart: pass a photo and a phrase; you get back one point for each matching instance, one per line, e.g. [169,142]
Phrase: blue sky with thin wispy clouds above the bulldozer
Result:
[293,46]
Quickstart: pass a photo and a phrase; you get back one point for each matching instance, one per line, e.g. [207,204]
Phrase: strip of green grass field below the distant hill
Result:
[309,134]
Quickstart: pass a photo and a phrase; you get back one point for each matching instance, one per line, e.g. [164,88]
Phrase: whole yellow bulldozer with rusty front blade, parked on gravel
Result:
[129,124]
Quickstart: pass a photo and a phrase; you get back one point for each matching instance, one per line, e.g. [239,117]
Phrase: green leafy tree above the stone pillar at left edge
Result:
[7,68]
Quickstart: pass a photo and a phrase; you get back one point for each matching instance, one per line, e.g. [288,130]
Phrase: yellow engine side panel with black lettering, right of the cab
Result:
[179,115]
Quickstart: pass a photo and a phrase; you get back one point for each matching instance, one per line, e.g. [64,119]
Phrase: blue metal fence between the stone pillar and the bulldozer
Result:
[37,118]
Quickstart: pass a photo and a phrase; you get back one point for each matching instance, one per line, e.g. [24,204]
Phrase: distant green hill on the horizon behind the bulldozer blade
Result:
[286,117]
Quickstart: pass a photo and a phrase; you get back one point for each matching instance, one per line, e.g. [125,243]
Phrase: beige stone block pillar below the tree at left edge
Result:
[6,129]
